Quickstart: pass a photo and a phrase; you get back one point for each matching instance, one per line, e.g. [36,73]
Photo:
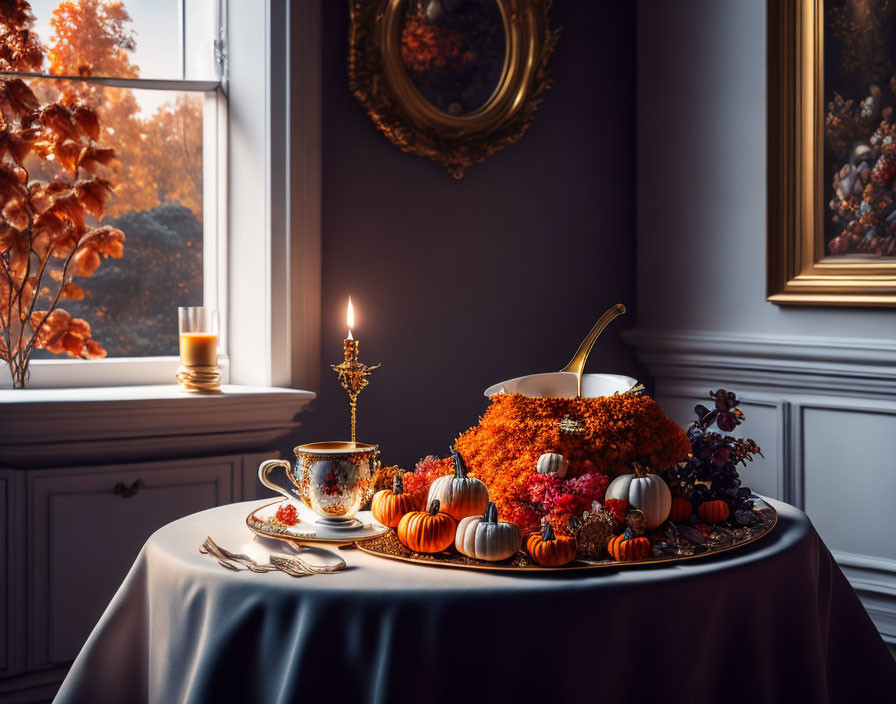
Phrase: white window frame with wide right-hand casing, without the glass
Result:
[261,256]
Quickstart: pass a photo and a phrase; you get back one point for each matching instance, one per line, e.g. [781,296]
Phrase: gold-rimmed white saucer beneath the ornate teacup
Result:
[311,528]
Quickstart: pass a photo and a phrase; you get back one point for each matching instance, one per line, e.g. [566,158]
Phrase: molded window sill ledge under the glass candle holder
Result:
[50,427]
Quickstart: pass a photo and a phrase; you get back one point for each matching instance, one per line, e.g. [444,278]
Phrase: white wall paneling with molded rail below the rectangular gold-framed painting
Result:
[824,412]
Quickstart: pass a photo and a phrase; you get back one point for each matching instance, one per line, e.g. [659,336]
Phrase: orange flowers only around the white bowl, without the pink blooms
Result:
[503,449]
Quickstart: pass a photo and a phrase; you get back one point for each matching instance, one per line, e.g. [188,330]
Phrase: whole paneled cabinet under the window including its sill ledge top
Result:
[86,476]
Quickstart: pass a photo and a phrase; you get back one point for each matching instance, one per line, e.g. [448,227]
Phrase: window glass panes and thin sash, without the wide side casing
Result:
[154,72]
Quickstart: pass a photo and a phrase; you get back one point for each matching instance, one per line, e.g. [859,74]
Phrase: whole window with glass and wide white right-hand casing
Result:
[254,240]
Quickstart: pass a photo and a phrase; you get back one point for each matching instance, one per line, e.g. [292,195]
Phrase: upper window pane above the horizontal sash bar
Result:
[129,39]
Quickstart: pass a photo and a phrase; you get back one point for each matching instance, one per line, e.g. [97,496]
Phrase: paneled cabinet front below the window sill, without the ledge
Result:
[69,536]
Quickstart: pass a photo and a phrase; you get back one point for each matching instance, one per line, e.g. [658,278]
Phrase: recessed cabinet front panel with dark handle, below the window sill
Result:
[86,534]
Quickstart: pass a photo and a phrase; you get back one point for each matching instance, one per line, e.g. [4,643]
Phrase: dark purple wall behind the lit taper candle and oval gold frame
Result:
[460,284]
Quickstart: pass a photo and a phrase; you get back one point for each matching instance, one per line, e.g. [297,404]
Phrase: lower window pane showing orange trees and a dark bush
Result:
[131,303]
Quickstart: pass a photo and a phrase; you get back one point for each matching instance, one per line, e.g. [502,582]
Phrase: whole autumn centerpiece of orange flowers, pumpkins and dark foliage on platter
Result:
[587,479]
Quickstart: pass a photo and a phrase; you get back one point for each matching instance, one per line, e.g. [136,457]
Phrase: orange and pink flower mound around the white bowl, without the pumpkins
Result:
[599,438]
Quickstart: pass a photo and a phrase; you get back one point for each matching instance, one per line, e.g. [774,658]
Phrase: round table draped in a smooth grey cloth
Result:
[773,621]
